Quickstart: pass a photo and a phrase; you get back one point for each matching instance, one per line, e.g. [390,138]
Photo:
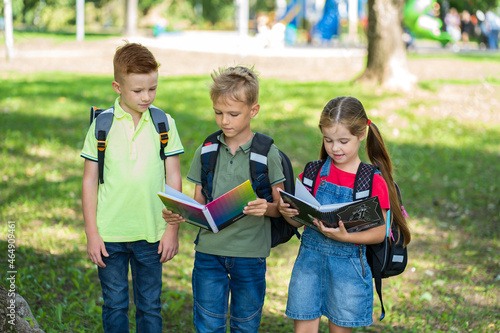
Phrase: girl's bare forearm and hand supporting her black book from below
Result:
[371,236]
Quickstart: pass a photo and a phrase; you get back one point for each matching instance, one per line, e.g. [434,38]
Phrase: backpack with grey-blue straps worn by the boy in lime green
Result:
[104,120]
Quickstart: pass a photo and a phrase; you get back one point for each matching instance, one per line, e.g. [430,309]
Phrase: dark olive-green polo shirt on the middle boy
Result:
[250,236]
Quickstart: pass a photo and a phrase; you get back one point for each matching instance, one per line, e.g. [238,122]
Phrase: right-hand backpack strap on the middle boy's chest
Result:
[261,144]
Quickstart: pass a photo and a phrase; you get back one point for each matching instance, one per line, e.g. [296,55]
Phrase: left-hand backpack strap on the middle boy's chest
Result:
[209,153]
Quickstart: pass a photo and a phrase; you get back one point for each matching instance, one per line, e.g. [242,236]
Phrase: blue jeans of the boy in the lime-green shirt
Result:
[146,269]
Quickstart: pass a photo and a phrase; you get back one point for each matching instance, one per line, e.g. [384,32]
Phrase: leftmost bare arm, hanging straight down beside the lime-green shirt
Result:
[95,244]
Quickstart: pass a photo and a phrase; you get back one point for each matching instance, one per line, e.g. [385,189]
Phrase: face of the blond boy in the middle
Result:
[233,117]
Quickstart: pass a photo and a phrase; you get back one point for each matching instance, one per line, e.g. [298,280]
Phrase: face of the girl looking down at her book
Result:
[341,145]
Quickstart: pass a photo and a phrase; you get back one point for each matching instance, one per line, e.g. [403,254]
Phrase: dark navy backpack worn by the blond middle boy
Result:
[281,231]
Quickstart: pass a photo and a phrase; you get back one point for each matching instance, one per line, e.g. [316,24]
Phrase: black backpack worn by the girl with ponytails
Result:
[388,258]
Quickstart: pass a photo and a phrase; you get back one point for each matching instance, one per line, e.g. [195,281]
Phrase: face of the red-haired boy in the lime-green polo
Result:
[137,91]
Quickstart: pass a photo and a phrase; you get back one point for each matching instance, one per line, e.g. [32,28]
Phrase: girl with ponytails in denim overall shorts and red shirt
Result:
[331,276]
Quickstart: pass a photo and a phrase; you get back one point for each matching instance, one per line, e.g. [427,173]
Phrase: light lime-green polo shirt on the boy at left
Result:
[128,207]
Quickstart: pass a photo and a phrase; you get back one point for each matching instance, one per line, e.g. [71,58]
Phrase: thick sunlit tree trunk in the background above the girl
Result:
[386,63]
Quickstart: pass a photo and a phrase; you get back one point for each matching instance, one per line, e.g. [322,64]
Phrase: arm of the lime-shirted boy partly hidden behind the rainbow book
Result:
[169,243]
